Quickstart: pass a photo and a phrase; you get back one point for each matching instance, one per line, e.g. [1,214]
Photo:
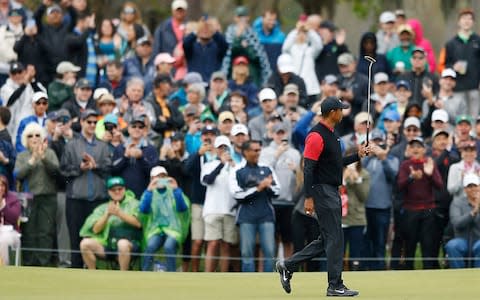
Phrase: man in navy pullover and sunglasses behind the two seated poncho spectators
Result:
[133,159]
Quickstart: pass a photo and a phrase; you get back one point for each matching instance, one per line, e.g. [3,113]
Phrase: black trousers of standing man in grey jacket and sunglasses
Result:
[77,212]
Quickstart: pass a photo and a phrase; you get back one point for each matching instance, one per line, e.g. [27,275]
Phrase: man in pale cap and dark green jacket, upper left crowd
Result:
[61,89]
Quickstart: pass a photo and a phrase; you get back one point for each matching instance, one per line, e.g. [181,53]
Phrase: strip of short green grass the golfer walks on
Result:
[52,283]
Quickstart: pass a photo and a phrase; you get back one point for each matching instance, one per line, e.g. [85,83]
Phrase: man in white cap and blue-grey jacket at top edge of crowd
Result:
[169,34]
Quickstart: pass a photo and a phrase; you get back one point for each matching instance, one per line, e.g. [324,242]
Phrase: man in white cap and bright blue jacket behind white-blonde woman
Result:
[40,106]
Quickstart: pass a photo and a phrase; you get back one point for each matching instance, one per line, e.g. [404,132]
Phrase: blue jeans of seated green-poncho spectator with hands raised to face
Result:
[170,248]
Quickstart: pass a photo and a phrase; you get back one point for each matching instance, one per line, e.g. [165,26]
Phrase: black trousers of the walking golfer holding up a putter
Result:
[328,208]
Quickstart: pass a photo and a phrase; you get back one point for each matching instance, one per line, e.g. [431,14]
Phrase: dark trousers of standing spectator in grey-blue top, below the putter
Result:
[378,221]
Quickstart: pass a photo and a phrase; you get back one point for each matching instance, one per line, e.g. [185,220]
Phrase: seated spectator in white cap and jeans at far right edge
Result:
[465,218]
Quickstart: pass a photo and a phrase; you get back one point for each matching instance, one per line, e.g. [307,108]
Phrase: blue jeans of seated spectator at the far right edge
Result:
[457,250]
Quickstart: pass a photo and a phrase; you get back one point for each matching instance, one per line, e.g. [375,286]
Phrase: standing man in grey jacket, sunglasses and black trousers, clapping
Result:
[86,164]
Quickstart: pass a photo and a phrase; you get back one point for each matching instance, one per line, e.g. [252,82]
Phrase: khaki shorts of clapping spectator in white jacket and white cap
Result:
[221,227]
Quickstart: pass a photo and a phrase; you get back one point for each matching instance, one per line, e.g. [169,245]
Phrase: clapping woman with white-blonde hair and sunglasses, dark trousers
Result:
[36,169]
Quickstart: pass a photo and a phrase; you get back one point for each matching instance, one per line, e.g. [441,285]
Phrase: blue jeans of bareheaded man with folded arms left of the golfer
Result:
[248,234]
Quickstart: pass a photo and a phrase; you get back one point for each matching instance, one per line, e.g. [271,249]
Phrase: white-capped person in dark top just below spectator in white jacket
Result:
[285,75]
